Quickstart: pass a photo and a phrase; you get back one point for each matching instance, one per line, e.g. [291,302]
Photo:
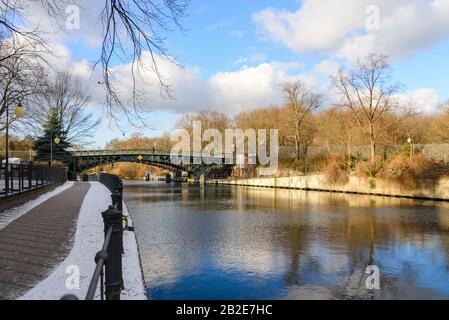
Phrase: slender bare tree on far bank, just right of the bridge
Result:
[301,103]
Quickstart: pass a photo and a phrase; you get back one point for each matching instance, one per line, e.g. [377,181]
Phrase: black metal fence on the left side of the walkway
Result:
[19,178]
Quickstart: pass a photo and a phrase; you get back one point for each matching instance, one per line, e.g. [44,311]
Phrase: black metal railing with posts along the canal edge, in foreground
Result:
[108,270]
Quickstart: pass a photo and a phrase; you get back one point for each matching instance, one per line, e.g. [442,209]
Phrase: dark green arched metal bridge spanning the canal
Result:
[195,165]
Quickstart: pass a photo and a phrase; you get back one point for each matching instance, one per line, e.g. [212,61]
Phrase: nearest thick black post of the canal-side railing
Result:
[113,270]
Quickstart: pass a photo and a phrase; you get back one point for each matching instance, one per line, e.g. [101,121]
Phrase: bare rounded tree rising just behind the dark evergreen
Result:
[68,99]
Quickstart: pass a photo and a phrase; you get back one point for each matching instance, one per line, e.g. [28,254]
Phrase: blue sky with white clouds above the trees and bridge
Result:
[230,43]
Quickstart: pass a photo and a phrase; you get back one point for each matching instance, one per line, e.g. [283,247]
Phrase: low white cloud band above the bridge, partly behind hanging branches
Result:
[229,92]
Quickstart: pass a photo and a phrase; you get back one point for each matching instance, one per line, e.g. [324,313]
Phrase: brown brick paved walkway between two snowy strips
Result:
[32,245]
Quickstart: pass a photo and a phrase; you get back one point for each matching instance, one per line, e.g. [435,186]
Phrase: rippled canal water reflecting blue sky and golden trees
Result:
[223,242]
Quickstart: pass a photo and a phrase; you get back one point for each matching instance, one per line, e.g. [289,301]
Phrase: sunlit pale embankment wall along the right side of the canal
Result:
[427,190]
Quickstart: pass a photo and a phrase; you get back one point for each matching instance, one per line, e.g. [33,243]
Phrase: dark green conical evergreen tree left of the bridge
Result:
[42,144]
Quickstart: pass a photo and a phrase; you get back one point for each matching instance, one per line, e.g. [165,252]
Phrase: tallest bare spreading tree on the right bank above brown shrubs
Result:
[368,91]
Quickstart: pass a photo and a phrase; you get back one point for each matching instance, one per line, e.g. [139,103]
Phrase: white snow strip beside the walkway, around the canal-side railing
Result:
[88,240]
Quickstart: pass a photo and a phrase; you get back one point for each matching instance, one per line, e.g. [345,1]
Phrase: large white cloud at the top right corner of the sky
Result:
[338,26]
